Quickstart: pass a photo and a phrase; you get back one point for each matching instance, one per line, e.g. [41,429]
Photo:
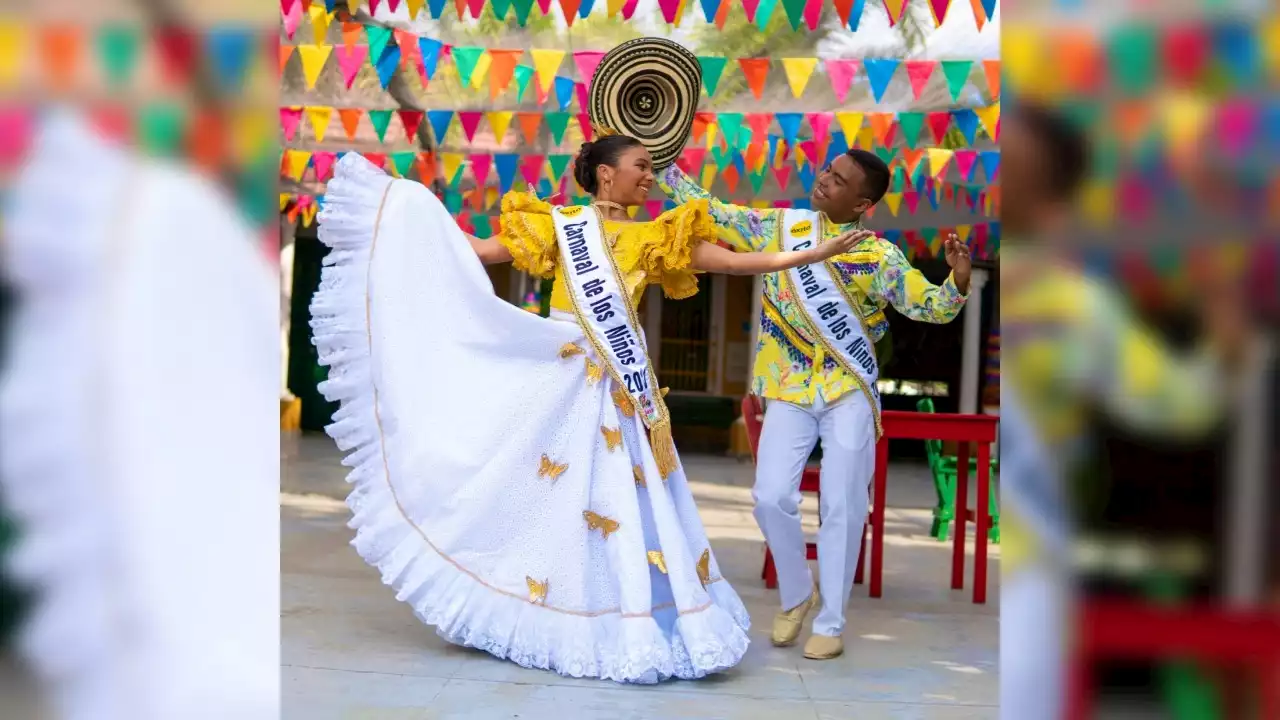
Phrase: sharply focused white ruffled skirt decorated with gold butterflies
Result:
[490,485]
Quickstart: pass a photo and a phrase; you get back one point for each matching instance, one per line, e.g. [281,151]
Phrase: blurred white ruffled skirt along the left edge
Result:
[140,438]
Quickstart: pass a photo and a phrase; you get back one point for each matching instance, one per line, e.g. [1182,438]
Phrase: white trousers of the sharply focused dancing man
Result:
[848,432]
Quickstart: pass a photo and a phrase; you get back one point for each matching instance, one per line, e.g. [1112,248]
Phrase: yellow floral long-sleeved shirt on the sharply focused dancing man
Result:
[789,366]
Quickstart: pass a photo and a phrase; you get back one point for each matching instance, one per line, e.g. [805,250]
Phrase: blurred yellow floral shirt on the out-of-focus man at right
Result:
[1069,348]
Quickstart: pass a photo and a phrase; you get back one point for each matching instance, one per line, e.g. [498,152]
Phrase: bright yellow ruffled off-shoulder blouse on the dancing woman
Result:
[653,253]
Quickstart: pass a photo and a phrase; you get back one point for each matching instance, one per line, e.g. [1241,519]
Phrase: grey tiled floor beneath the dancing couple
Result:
[350,650]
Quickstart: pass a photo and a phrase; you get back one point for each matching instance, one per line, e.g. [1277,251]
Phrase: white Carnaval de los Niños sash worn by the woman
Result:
[606,313]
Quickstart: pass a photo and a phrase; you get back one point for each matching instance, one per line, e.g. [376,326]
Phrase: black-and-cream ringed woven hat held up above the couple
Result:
[648,89]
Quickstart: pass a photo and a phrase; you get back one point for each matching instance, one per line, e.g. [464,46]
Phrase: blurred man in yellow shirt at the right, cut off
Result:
[1072,348]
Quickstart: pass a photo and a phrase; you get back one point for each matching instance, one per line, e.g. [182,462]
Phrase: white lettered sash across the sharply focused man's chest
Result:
[831,311]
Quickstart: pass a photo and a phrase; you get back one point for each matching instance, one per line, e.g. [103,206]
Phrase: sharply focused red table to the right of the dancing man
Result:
[963,430]
